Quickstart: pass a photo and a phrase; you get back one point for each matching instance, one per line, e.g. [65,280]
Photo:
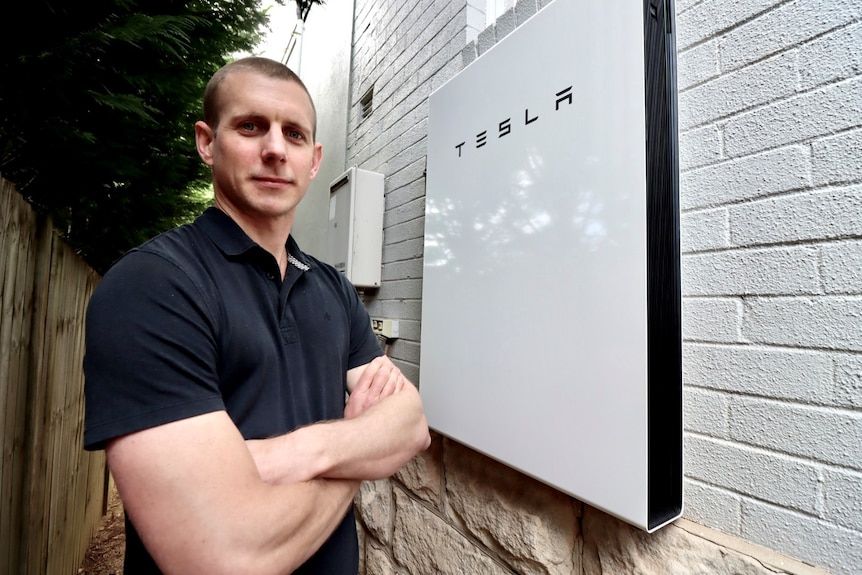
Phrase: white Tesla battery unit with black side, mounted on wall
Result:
[551,293]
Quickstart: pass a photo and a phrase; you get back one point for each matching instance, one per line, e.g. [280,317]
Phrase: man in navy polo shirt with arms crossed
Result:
[218,356]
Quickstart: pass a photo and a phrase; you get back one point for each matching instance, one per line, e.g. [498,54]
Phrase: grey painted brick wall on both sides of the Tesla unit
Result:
[770,116]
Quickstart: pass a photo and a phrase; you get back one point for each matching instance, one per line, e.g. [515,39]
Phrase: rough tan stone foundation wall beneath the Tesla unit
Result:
[452,511]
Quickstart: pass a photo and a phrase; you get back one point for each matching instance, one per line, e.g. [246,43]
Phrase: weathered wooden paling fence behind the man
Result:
[52,492]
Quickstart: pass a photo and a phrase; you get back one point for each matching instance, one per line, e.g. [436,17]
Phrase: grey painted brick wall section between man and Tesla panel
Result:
[404,50]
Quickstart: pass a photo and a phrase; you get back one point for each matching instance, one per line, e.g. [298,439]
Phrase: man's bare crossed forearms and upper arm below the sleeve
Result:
[206,501]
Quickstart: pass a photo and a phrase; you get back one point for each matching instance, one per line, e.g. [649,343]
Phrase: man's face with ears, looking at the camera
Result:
[262,153]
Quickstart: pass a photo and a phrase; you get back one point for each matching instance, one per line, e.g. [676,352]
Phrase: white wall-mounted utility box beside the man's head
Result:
[355,236]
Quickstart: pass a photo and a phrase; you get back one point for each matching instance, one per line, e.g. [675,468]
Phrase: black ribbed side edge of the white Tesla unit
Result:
[664,315]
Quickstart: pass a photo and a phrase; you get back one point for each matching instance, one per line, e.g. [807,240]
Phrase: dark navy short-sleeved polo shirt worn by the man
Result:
[197,320]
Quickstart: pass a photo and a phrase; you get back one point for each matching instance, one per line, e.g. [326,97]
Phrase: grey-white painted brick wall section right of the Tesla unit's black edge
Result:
[770,116]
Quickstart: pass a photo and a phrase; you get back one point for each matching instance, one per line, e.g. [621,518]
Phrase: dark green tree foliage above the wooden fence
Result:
[97,105]
